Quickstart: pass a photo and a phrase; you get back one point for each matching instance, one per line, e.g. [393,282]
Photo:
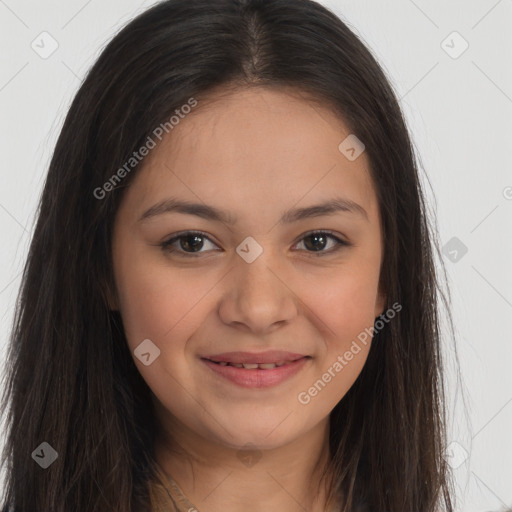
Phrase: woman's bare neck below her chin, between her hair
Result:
[216,477]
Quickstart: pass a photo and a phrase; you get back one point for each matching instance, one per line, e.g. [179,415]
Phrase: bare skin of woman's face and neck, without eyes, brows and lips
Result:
[254,153]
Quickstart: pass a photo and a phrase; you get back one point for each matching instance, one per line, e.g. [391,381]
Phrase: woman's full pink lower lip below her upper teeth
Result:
[258,378]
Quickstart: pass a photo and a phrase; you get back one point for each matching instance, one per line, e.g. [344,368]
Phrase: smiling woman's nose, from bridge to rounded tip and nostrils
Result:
[258,297]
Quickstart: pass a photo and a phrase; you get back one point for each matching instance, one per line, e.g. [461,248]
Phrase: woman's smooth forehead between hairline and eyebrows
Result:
[252,149]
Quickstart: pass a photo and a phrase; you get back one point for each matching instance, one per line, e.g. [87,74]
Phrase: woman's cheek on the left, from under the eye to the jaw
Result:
[165,307]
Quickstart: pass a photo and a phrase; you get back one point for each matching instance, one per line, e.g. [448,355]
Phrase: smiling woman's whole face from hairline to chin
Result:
[262,277]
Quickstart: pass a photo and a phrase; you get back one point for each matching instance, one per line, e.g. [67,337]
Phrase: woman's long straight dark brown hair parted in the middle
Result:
[71,381]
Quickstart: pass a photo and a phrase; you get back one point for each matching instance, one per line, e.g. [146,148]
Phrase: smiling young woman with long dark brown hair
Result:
[230,299]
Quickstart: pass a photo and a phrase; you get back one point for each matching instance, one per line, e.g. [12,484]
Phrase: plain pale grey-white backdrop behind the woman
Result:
[450,65]
